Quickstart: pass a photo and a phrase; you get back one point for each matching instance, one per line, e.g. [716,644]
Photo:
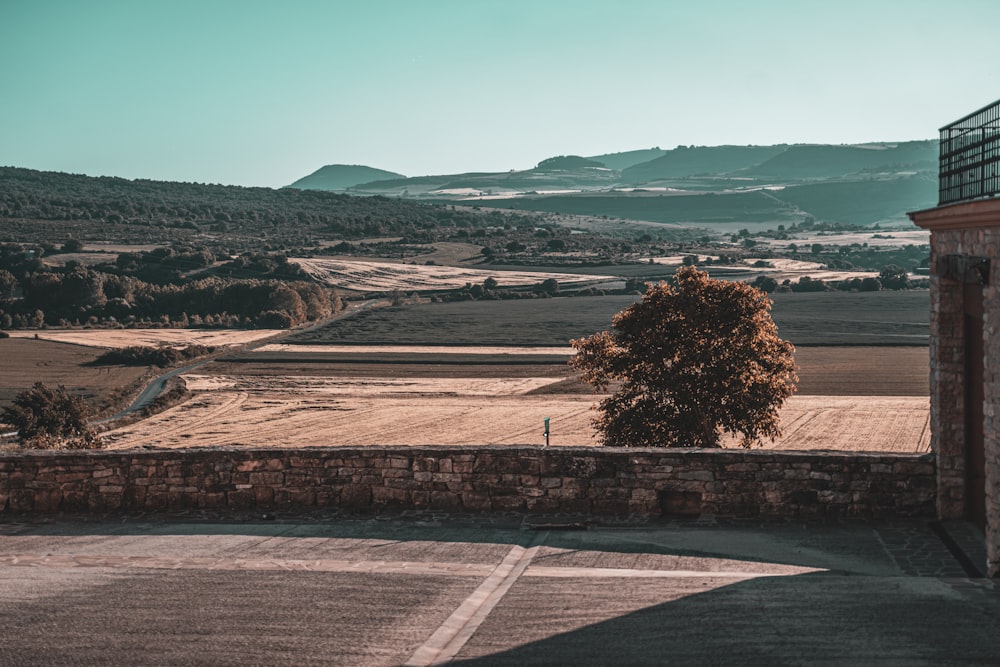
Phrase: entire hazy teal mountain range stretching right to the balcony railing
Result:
[704,185]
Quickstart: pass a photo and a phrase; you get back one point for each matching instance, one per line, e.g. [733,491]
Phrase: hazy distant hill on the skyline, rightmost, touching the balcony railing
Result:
[807,161]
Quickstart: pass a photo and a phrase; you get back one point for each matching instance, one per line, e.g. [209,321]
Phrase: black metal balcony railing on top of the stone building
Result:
[970,157]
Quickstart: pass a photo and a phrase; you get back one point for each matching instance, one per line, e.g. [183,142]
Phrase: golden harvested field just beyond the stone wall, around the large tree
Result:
[259,400]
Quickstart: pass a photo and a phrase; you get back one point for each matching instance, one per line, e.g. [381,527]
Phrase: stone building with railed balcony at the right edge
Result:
[965,324]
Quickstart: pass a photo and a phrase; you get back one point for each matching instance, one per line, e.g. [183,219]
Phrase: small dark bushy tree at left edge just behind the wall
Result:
[46,417]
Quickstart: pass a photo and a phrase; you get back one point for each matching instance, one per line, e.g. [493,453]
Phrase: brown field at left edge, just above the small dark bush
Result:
[26,361]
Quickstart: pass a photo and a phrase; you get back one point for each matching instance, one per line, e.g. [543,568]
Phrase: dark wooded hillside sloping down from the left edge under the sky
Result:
[37,207]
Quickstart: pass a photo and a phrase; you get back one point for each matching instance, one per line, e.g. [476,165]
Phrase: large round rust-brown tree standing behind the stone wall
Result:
[693,359]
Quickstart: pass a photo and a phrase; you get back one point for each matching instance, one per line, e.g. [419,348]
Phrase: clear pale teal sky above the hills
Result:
[261,93]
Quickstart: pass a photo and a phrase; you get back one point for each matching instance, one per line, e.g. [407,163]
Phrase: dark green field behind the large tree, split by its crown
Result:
[817,318]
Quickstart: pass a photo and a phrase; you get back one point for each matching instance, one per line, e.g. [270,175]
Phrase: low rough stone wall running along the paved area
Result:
[601,481]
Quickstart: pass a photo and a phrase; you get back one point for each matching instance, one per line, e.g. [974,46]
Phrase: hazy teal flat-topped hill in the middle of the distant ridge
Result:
[699,160]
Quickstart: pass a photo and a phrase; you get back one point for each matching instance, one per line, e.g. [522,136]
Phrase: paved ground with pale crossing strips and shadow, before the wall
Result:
[426,589]
